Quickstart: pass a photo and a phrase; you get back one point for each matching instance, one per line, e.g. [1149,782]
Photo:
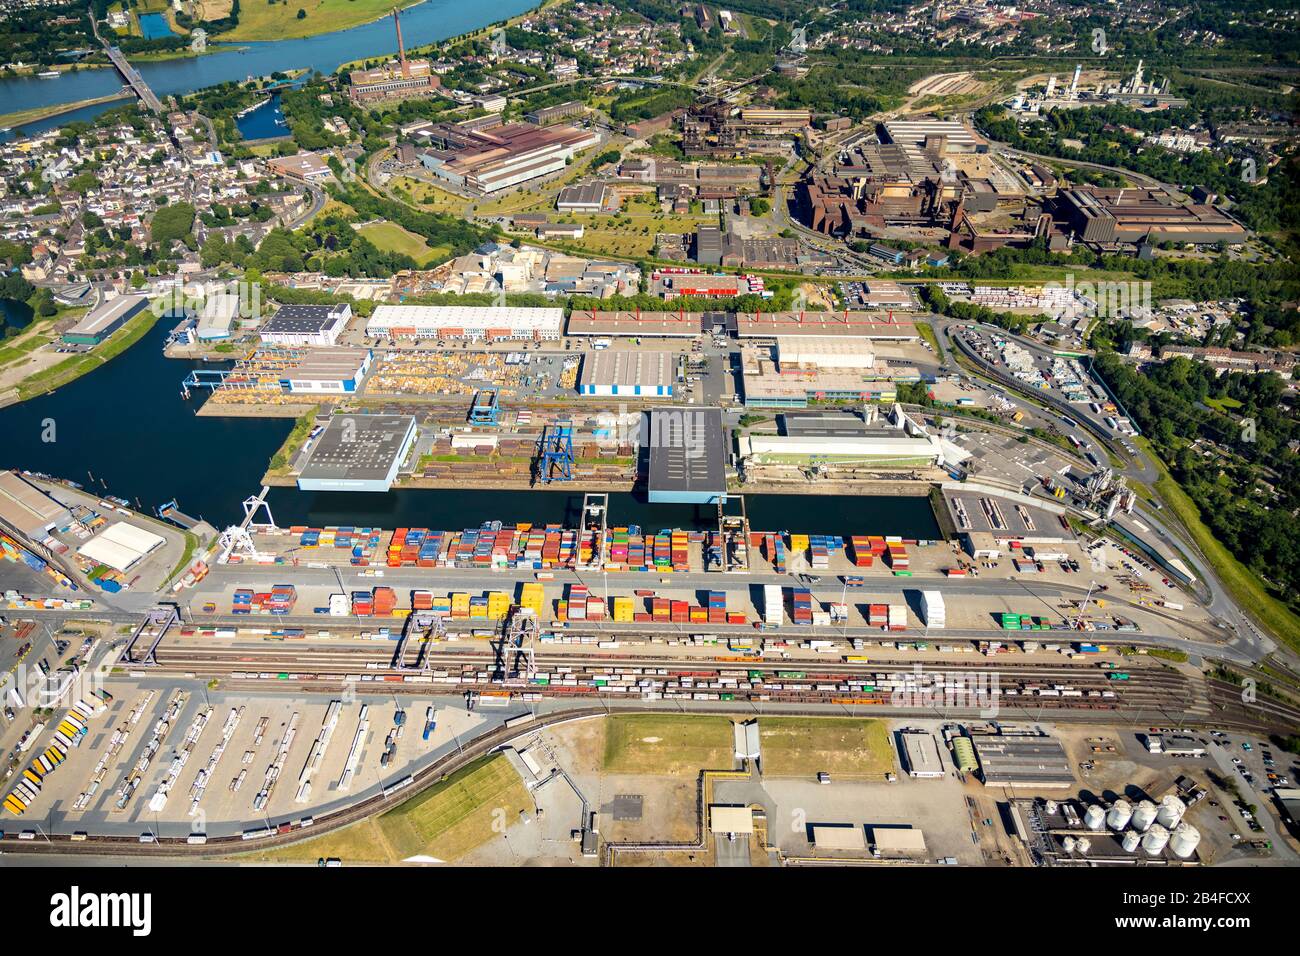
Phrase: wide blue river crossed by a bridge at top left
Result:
[427,23]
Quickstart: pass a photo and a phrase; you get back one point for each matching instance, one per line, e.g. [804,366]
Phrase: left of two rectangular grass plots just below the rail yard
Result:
[668,745]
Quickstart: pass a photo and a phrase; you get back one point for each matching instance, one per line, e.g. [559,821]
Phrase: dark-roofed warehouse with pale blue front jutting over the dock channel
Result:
[687,458]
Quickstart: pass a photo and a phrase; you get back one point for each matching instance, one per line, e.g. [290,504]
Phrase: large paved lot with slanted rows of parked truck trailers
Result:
[270,743]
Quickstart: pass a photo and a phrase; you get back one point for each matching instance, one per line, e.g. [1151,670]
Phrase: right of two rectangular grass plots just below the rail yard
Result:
[805,746]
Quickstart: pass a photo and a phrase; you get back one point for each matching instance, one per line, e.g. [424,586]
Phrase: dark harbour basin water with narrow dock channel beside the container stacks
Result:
[125,430]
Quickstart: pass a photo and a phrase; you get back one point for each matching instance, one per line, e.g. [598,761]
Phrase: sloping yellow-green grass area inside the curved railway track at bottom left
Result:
[445,823]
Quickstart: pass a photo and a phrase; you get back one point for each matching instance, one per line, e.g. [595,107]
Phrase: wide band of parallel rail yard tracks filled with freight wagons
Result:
[1037,685]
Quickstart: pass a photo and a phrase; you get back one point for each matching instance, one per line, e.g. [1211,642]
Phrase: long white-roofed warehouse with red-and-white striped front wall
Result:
[473,323]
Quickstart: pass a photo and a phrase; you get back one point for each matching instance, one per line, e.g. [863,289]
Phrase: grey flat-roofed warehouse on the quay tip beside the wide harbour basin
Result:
[359,453]
